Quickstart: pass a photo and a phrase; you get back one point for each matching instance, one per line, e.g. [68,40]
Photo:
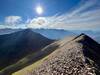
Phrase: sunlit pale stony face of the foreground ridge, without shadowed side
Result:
[68,59]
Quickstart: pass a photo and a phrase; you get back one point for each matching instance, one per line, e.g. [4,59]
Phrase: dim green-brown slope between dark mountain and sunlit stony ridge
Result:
[29,60]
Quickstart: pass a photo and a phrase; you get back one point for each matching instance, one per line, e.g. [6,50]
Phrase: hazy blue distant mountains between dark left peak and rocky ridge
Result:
[55,33]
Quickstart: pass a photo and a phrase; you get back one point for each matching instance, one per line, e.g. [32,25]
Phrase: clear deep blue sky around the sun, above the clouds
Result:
[25,8]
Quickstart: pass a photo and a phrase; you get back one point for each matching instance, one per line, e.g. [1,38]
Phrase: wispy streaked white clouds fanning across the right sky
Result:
[84,17]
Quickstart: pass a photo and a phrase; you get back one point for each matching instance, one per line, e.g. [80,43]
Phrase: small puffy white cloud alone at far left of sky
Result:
[12,20]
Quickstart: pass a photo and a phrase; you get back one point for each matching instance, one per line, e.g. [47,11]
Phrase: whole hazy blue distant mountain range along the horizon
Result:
[57,33]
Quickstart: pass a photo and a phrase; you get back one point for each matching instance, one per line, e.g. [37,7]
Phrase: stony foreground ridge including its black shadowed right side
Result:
[80,56]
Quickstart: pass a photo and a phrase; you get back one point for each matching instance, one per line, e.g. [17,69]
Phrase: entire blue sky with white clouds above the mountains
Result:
[57,14]
